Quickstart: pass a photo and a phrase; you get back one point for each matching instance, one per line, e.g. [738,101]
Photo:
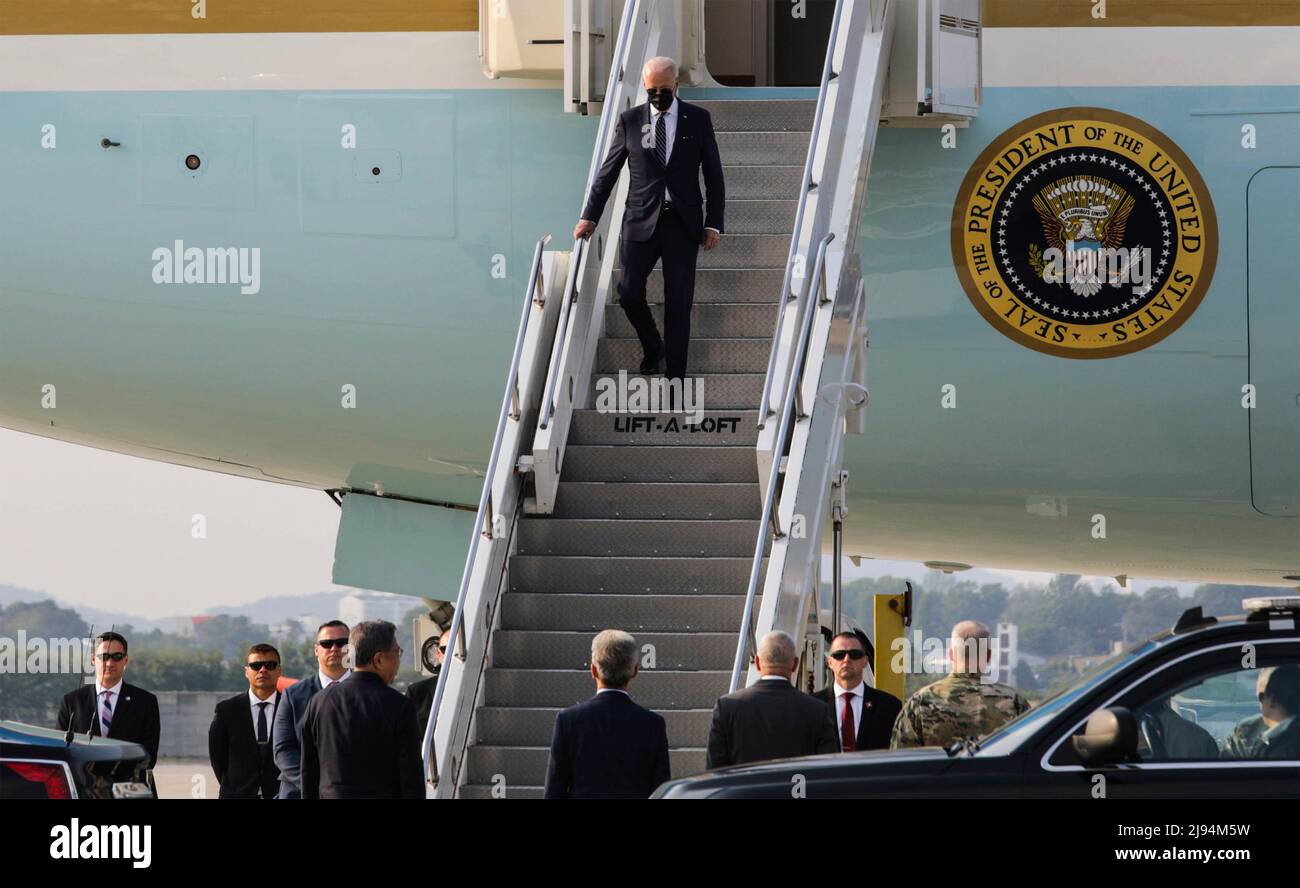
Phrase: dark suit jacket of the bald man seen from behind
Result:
[770,720]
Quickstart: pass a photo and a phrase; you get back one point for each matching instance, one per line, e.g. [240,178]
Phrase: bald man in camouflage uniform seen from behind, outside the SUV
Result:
[960,705]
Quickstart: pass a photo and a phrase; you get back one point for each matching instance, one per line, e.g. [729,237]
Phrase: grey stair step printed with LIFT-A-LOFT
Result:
[716,428]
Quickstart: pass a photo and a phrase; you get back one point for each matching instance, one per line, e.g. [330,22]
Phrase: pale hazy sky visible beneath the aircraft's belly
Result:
[97,529]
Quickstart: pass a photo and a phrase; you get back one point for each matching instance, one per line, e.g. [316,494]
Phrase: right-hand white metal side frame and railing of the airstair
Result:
[831,376]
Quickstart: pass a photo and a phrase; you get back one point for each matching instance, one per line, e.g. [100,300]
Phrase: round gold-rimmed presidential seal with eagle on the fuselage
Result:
[1085,233]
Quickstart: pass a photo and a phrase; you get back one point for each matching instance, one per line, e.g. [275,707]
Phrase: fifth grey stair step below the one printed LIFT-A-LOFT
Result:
[593,613]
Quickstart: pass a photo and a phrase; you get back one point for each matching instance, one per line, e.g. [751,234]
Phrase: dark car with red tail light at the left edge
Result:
[44,764]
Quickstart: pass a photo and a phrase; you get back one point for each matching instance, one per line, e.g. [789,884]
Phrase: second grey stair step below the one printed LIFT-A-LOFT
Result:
[652,500]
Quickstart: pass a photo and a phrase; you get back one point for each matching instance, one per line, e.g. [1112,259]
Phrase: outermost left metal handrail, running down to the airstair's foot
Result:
[483,522]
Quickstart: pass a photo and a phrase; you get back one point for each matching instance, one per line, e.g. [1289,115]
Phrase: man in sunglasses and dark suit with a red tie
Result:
[870,713]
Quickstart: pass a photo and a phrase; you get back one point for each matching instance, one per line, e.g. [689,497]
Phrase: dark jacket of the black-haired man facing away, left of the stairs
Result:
[361,742]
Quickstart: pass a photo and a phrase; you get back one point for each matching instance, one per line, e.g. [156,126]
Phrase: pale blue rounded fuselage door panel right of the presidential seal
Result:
[1273,246]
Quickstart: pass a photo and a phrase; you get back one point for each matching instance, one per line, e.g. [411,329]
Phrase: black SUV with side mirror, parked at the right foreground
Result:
[1155,722]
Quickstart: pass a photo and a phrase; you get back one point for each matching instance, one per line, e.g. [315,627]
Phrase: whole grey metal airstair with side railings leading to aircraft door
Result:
[697,538]
